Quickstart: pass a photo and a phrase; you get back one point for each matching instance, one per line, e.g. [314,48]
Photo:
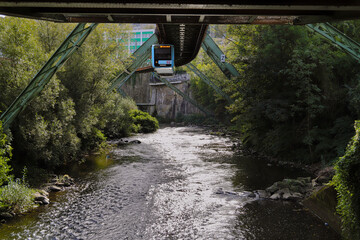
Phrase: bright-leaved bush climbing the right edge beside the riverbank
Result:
[347,182]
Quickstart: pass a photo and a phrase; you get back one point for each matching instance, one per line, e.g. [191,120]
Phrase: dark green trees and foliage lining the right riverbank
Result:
[296,99]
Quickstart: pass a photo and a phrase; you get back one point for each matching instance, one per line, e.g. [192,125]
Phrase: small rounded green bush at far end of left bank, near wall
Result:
[143,122]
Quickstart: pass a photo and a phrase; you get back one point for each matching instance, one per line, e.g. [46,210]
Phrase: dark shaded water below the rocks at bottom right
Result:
[281,221]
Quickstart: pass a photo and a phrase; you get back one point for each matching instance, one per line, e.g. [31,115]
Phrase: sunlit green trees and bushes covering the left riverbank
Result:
[72,116]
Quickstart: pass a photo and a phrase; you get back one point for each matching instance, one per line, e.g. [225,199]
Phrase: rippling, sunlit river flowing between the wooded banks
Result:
[179,183]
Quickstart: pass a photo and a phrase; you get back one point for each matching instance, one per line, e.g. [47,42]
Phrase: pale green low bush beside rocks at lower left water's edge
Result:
[16,196]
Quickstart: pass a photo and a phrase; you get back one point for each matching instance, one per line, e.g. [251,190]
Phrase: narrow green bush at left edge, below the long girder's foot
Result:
[5,155]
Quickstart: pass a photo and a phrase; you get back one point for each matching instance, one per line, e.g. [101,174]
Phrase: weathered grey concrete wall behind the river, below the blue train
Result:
[159,97]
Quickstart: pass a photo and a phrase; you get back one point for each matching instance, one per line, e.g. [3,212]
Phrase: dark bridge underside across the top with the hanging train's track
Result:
[183,23]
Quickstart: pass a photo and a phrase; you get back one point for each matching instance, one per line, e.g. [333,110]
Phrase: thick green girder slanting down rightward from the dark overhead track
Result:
[215,53]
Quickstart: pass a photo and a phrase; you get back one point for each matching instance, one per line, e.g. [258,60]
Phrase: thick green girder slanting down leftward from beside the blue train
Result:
[140,56]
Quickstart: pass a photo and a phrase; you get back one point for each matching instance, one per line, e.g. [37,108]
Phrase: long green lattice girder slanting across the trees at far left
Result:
[73,41]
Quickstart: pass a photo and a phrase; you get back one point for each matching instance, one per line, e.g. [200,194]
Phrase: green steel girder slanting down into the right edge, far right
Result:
[340,40]
